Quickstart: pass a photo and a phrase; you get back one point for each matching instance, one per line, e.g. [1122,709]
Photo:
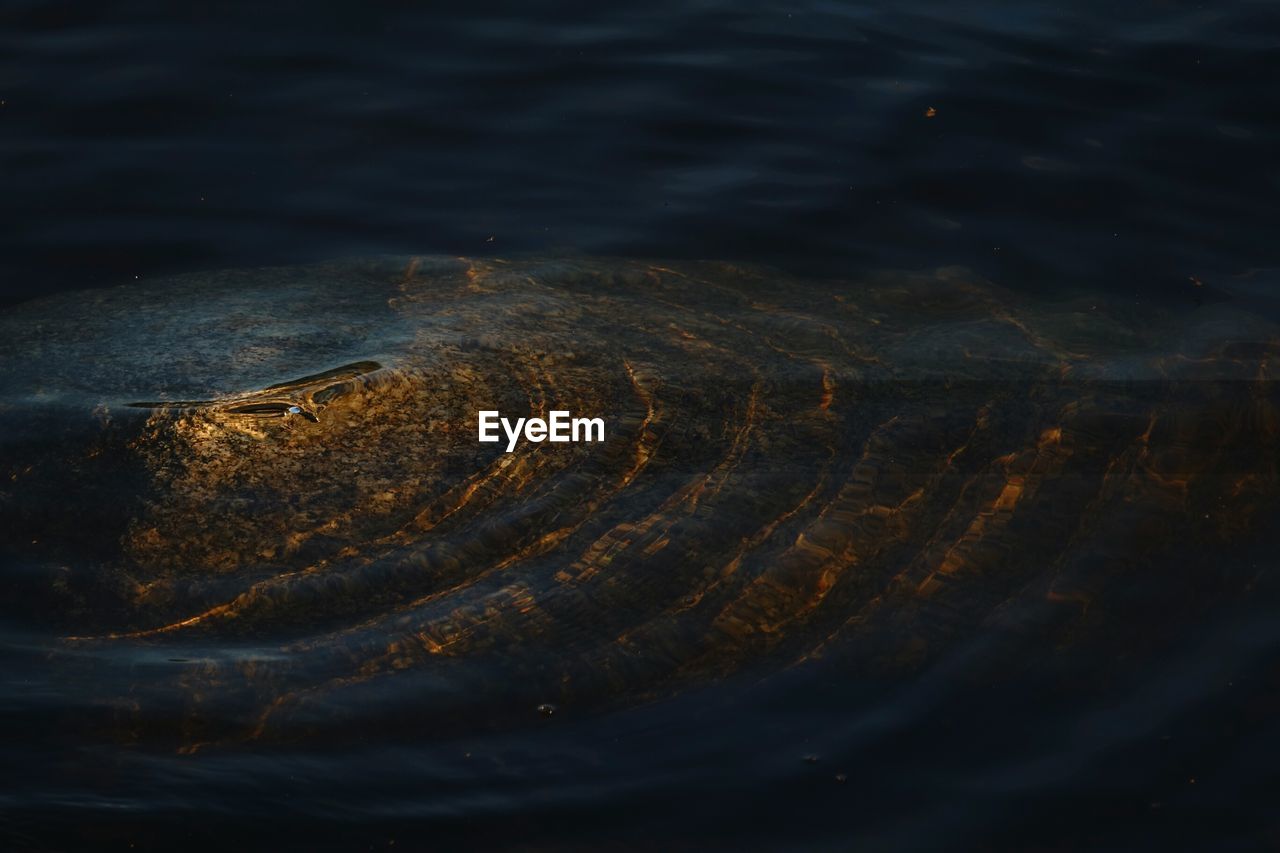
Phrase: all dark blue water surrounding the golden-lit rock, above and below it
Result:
[1128,148]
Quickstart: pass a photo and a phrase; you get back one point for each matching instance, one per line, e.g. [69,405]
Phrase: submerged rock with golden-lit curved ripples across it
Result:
[253,505]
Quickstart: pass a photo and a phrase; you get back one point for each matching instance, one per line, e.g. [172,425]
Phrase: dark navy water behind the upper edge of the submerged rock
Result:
[1128,145]
